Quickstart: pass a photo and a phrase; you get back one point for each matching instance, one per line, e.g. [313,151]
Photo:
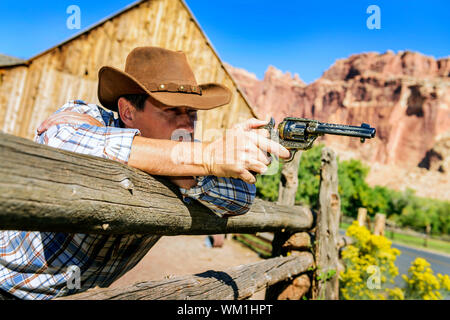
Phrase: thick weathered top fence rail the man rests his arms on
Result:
[46,189]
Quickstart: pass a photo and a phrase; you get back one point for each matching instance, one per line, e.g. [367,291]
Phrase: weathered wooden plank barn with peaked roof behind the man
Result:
[31,90]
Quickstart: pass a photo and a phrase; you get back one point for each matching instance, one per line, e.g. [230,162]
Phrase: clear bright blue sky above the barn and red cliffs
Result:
[304,37]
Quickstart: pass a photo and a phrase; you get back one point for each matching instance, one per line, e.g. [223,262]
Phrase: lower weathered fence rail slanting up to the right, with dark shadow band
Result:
[237,283]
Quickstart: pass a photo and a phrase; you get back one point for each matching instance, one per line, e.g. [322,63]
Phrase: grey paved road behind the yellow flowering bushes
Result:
[439,263]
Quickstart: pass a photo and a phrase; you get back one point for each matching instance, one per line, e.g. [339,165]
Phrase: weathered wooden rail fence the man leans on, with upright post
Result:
[46,189]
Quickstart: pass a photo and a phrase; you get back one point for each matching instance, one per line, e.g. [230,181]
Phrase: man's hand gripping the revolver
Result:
[241,151]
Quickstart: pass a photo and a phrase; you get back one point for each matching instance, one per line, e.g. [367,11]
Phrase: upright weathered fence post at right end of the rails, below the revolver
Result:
[326,280]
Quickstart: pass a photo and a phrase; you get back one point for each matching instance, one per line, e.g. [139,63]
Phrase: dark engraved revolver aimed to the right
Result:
[299,133]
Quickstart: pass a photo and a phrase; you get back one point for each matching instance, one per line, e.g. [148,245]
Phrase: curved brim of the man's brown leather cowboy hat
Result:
[114,83]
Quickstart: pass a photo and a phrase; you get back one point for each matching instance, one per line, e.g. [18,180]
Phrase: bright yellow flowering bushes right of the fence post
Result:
[370,263]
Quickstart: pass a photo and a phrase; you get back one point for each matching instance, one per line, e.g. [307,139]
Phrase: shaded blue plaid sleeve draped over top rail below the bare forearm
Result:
[224,196]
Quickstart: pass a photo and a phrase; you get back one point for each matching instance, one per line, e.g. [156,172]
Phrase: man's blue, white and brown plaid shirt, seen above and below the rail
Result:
[43,265]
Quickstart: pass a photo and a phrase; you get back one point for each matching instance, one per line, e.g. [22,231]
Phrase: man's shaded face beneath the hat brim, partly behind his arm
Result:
[159,121]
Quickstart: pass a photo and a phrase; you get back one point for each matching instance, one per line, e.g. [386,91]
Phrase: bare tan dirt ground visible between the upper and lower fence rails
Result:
[182,255]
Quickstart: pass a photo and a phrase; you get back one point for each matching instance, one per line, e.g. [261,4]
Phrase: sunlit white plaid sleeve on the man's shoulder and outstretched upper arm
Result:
[106,142]
